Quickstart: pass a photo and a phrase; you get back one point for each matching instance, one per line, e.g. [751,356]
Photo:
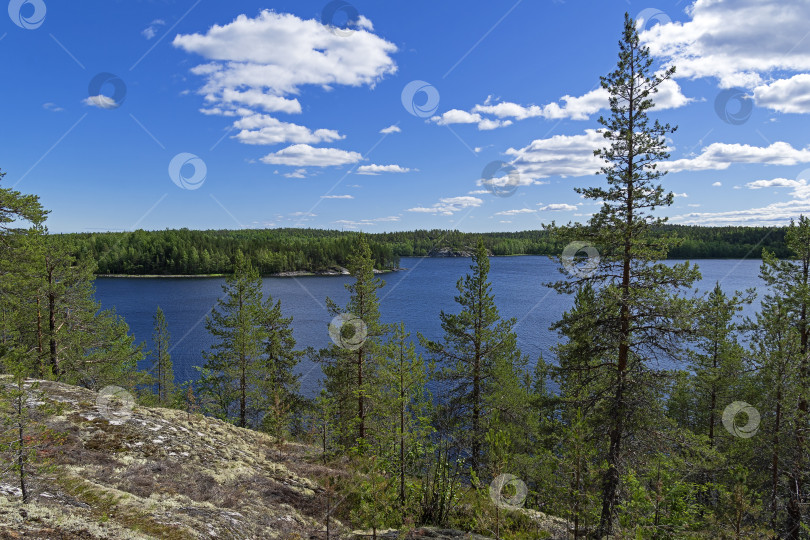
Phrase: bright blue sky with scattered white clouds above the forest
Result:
[204,114]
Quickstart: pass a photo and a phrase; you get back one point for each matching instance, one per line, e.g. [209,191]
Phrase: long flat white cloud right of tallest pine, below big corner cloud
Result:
[719,156]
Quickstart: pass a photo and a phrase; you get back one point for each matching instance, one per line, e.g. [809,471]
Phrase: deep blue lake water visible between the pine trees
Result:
[415,295]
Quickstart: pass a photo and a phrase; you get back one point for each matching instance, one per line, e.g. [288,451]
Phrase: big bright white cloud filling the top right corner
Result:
[742,43]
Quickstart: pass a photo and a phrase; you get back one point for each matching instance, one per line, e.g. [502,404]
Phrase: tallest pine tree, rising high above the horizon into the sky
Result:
[644,314]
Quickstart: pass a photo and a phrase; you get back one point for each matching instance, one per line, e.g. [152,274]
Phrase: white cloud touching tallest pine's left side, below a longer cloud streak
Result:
[560,155]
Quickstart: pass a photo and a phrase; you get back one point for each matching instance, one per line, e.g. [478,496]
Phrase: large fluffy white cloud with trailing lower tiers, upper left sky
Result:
[257,65]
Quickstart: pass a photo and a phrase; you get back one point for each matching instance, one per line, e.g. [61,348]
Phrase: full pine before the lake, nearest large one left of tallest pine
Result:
[479,358]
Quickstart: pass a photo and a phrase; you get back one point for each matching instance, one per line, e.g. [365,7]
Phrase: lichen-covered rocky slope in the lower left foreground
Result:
[161,473]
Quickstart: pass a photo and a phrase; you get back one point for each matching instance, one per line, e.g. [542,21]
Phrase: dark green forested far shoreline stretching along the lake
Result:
[276,251]
